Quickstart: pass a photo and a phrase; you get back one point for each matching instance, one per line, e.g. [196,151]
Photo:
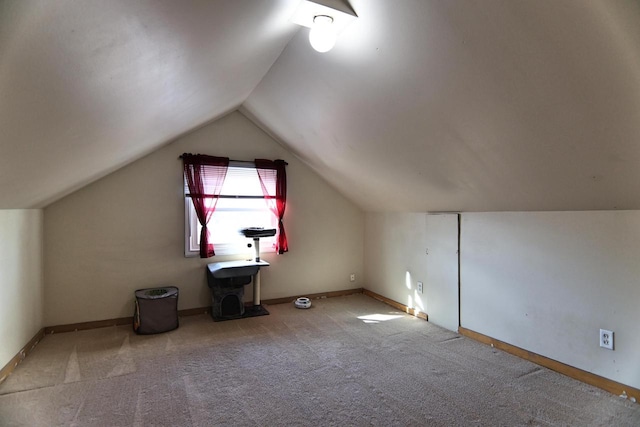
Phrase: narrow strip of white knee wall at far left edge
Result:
[21,289]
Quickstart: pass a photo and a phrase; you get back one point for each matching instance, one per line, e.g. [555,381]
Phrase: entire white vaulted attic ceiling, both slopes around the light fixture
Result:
[441,105]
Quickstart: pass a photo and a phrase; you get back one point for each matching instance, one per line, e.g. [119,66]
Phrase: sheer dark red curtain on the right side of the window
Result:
[273,172]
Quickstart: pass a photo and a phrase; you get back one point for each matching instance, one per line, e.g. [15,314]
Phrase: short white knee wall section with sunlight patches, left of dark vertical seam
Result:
[396,259]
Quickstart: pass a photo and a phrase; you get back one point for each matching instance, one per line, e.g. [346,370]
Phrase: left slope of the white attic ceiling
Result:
[89,86]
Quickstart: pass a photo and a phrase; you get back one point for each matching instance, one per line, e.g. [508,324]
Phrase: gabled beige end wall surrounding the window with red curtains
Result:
[126,231]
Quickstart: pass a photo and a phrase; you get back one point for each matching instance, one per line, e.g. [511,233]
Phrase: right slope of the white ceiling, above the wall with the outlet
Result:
[453,105]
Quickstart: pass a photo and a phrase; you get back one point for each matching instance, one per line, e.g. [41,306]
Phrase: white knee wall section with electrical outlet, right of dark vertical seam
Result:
[547,282]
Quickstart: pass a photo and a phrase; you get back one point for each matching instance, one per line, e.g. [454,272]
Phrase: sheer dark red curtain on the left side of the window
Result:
[205,176]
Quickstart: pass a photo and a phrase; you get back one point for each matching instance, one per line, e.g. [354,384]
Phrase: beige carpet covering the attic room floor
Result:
[346,361]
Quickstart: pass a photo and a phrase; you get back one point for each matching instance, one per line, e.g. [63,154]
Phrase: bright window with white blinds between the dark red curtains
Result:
[241,204]
